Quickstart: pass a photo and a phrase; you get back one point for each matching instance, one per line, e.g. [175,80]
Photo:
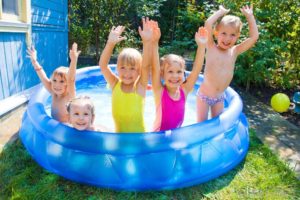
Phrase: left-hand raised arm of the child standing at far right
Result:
[211,21]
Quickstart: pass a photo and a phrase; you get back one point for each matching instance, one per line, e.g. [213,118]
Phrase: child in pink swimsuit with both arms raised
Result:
[170,98]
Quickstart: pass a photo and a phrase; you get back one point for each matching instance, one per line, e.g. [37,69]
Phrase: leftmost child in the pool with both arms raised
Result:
[61,85]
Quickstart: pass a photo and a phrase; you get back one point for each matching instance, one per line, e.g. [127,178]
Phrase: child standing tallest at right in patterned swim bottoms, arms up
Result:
[221,57]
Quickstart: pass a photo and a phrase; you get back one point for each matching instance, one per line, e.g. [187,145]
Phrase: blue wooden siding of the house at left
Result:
[49,22]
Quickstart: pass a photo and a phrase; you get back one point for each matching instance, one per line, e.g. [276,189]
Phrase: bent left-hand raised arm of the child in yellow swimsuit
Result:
[113,38]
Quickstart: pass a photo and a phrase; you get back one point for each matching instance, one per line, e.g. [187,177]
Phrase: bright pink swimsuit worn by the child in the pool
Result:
[172,111]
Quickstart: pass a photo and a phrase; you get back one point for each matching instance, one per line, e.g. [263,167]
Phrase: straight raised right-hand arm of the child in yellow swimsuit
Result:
[146,34]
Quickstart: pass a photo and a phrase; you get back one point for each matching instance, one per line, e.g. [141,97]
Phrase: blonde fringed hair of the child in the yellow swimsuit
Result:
[130,57]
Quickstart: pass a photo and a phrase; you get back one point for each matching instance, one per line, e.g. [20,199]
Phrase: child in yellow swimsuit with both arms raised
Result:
[129,87]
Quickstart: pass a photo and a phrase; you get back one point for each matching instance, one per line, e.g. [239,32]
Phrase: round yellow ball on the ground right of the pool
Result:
[280,102]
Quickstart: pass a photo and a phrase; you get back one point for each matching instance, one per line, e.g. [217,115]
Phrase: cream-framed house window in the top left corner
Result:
[15,16]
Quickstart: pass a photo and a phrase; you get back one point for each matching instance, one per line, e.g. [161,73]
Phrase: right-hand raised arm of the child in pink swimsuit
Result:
[201,39]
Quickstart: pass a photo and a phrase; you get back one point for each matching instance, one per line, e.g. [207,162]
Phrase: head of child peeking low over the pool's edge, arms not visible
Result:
[81,115]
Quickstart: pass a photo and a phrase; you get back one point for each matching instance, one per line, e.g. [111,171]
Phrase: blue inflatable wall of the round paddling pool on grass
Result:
[150,161]
